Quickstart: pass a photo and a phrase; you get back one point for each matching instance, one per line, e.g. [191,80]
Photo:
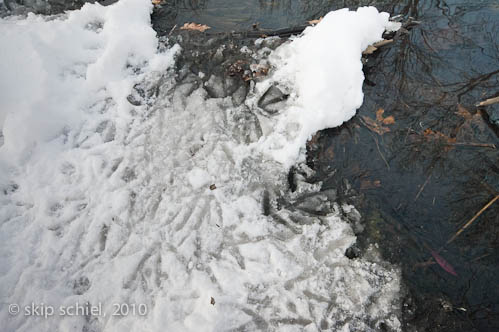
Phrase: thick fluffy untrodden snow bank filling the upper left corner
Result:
[53,71]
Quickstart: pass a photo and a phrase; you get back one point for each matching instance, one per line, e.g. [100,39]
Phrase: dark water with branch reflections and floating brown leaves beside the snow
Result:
[423,173]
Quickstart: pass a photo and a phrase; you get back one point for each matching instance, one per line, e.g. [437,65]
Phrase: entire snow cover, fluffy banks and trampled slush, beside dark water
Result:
[108,202]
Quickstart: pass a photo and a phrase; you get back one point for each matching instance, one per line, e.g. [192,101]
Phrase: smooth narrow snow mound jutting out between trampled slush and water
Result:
[322,71]
